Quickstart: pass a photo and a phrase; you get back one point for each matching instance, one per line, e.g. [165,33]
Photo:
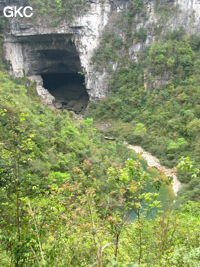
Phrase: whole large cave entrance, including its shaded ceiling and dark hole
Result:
[55,58]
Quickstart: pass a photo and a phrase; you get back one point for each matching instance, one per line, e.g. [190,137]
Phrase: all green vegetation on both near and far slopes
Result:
[71,198]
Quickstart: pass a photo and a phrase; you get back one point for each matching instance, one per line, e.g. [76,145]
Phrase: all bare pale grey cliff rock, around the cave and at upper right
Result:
[38,48]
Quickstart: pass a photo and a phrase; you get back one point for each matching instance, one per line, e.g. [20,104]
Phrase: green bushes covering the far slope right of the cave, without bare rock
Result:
[155,101]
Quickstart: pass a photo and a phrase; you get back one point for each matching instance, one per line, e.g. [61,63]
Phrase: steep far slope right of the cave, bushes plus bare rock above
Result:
[153,97]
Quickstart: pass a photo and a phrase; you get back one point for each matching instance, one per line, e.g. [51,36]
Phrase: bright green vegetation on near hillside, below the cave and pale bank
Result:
[68,198]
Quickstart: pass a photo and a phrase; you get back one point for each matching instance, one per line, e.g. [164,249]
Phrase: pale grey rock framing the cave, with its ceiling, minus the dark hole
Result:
[34,49]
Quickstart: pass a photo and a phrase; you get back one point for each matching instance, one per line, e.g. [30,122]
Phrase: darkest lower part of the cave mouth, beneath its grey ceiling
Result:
[68,89]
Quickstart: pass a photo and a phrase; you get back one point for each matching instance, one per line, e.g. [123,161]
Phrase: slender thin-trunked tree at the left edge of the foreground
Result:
[17,150]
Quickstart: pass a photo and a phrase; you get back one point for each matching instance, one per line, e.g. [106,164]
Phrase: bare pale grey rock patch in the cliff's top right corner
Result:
[164,16]
